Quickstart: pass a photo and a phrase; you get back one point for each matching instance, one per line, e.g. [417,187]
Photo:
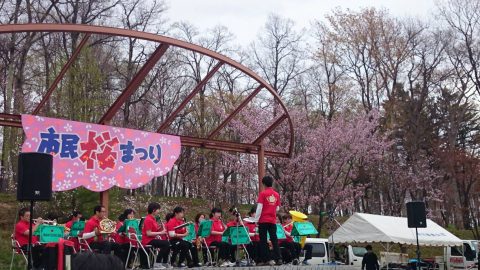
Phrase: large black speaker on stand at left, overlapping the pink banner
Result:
[34,177]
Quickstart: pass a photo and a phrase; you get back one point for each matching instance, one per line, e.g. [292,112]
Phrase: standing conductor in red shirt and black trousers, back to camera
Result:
[267,206]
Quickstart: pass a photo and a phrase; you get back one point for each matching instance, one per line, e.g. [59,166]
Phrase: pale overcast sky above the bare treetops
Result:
[245,18]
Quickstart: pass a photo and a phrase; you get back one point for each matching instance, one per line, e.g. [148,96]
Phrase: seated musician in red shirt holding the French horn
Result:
[94,236]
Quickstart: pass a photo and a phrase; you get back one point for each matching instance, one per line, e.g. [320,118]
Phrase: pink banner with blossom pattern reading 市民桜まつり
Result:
[99,157]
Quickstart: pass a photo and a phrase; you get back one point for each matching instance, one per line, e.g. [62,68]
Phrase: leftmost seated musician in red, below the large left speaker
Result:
[22,230]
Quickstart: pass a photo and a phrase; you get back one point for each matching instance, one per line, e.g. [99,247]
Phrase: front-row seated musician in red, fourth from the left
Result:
[176,240]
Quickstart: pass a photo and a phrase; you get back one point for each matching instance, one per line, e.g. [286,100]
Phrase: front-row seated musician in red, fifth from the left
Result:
[226,252]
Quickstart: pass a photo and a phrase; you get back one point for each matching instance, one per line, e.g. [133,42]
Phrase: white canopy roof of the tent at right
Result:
[367,228]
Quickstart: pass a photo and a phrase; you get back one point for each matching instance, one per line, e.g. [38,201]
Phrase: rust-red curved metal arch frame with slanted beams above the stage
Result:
[255,147]
